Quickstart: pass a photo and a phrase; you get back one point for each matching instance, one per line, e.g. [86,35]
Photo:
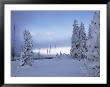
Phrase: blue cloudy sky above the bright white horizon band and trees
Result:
[47,27]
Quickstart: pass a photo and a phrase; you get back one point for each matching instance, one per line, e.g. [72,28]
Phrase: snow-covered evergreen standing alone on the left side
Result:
[27,53]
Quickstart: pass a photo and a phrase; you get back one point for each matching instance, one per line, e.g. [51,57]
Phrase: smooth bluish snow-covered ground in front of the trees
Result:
[63,66]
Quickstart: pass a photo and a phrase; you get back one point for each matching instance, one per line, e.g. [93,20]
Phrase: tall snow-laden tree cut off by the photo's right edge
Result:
[93,46]
